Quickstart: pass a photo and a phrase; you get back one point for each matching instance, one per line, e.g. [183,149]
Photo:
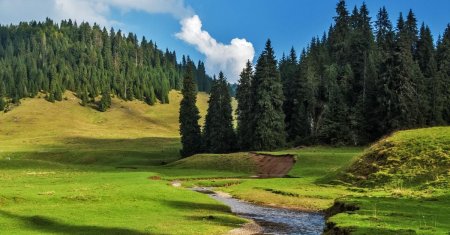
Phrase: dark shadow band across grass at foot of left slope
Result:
[142,152]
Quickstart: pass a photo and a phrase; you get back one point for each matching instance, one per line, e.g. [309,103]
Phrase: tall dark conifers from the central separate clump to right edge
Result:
[358,82]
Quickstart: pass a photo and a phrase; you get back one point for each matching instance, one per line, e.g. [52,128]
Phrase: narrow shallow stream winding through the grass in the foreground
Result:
[274,220]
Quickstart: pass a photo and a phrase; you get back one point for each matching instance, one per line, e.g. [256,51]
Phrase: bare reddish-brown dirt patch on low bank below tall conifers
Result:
[270,166]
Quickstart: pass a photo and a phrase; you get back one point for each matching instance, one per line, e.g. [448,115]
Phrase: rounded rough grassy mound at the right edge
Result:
[407,158]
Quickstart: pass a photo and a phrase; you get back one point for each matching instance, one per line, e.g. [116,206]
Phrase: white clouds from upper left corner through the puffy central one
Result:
[230,58]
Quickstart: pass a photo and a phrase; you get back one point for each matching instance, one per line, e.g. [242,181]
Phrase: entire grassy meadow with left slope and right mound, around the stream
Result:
[68,169]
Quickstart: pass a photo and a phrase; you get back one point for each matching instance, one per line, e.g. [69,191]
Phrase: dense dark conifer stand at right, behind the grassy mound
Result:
[362,79]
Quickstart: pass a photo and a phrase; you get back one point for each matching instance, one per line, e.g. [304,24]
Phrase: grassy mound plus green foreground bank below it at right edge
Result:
[407,175]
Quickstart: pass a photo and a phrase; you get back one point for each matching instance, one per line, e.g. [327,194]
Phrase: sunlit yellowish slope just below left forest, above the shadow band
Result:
[38,122]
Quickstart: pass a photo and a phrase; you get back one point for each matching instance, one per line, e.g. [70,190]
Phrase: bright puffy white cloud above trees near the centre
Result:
[229,58]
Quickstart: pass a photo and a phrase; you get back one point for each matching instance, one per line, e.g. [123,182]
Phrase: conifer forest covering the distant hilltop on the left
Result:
[49,58]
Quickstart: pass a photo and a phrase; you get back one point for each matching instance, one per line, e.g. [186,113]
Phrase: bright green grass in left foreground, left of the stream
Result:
[54,198]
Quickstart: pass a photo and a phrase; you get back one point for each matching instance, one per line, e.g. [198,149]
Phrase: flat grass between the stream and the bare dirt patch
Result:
[305,188]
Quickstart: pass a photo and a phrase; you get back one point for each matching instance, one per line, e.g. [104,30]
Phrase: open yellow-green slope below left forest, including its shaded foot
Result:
[131,132]
